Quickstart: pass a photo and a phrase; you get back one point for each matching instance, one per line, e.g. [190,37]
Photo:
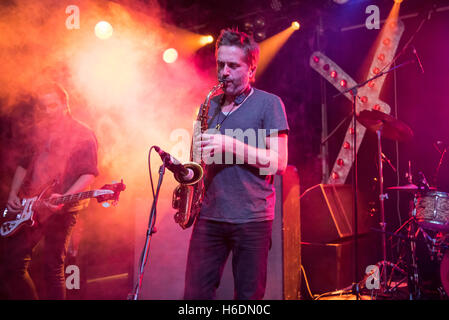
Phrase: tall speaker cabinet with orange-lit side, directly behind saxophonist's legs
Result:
[284,258]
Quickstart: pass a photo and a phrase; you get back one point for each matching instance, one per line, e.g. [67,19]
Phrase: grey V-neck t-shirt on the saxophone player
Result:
[236,192]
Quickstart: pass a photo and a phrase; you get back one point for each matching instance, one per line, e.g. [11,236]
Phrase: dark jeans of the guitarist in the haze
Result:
[17,254]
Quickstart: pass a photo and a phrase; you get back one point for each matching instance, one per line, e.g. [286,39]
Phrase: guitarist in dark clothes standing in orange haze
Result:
[64,157]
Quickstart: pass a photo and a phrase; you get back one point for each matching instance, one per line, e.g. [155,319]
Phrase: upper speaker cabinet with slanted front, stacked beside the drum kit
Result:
[328,214]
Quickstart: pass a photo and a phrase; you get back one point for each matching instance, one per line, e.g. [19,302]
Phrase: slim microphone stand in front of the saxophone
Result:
[150,231]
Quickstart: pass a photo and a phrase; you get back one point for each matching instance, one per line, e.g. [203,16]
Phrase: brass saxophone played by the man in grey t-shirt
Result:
[188,196]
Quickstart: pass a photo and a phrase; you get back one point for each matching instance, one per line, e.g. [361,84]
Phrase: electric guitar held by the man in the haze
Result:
[31,208]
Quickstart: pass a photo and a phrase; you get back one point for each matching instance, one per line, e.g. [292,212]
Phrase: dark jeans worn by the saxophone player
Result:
[210,245]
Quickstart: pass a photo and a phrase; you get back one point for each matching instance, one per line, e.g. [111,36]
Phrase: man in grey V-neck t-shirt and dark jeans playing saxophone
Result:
[245,146]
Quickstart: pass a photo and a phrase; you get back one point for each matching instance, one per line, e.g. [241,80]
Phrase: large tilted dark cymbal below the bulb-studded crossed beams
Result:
[391,128]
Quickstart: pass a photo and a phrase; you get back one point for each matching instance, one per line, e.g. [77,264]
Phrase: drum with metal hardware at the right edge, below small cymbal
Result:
[432,210]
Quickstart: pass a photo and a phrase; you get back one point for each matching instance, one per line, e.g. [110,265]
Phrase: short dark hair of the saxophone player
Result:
[233,37]
